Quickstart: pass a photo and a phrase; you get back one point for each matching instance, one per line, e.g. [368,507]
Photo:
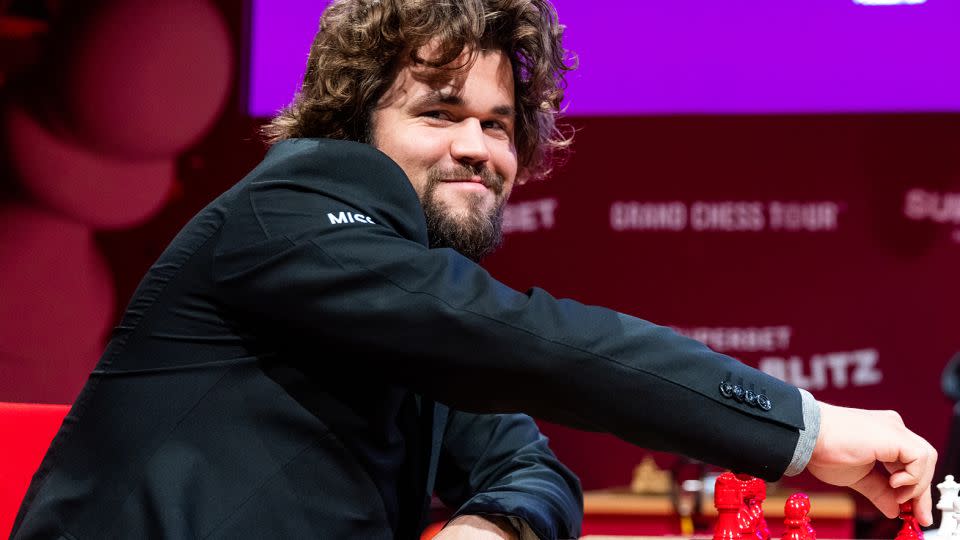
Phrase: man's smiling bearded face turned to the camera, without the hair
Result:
[454,138]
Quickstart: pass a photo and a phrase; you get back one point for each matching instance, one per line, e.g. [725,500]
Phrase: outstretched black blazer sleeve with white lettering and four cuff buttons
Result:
[367,295]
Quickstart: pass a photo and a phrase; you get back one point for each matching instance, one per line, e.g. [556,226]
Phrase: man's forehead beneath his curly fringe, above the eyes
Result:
[484,81]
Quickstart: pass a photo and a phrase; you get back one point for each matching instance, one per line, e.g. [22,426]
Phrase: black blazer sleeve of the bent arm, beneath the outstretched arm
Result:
[500,464]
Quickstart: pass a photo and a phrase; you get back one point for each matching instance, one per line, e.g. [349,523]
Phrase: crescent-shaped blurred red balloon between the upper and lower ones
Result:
[97,190]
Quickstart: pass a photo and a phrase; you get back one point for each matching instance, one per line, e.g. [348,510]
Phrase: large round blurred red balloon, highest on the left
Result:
[142,78]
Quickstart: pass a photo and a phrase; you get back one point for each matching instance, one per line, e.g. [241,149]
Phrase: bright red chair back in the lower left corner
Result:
[26,431]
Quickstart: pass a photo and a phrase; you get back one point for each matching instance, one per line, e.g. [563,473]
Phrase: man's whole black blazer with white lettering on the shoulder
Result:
[284,370]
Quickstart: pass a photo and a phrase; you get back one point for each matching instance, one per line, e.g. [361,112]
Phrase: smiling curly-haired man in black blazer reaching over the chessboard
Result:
[286,367]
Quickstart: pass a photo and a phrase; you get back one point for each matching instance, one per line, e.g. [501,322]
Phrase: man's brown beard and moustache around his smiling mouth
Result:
[474,235]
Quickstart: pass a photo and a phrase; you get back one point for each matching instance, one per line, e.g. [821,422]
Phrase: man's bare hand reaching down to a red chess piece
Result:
[851,444]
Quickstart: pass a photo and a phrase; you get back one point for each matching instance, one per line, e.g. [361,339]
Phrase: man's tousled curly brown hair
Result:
[355,56]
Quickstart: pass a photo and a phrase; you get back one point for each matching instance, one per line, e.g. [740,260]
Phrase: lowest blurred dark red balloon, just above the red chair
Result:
[57,291]
